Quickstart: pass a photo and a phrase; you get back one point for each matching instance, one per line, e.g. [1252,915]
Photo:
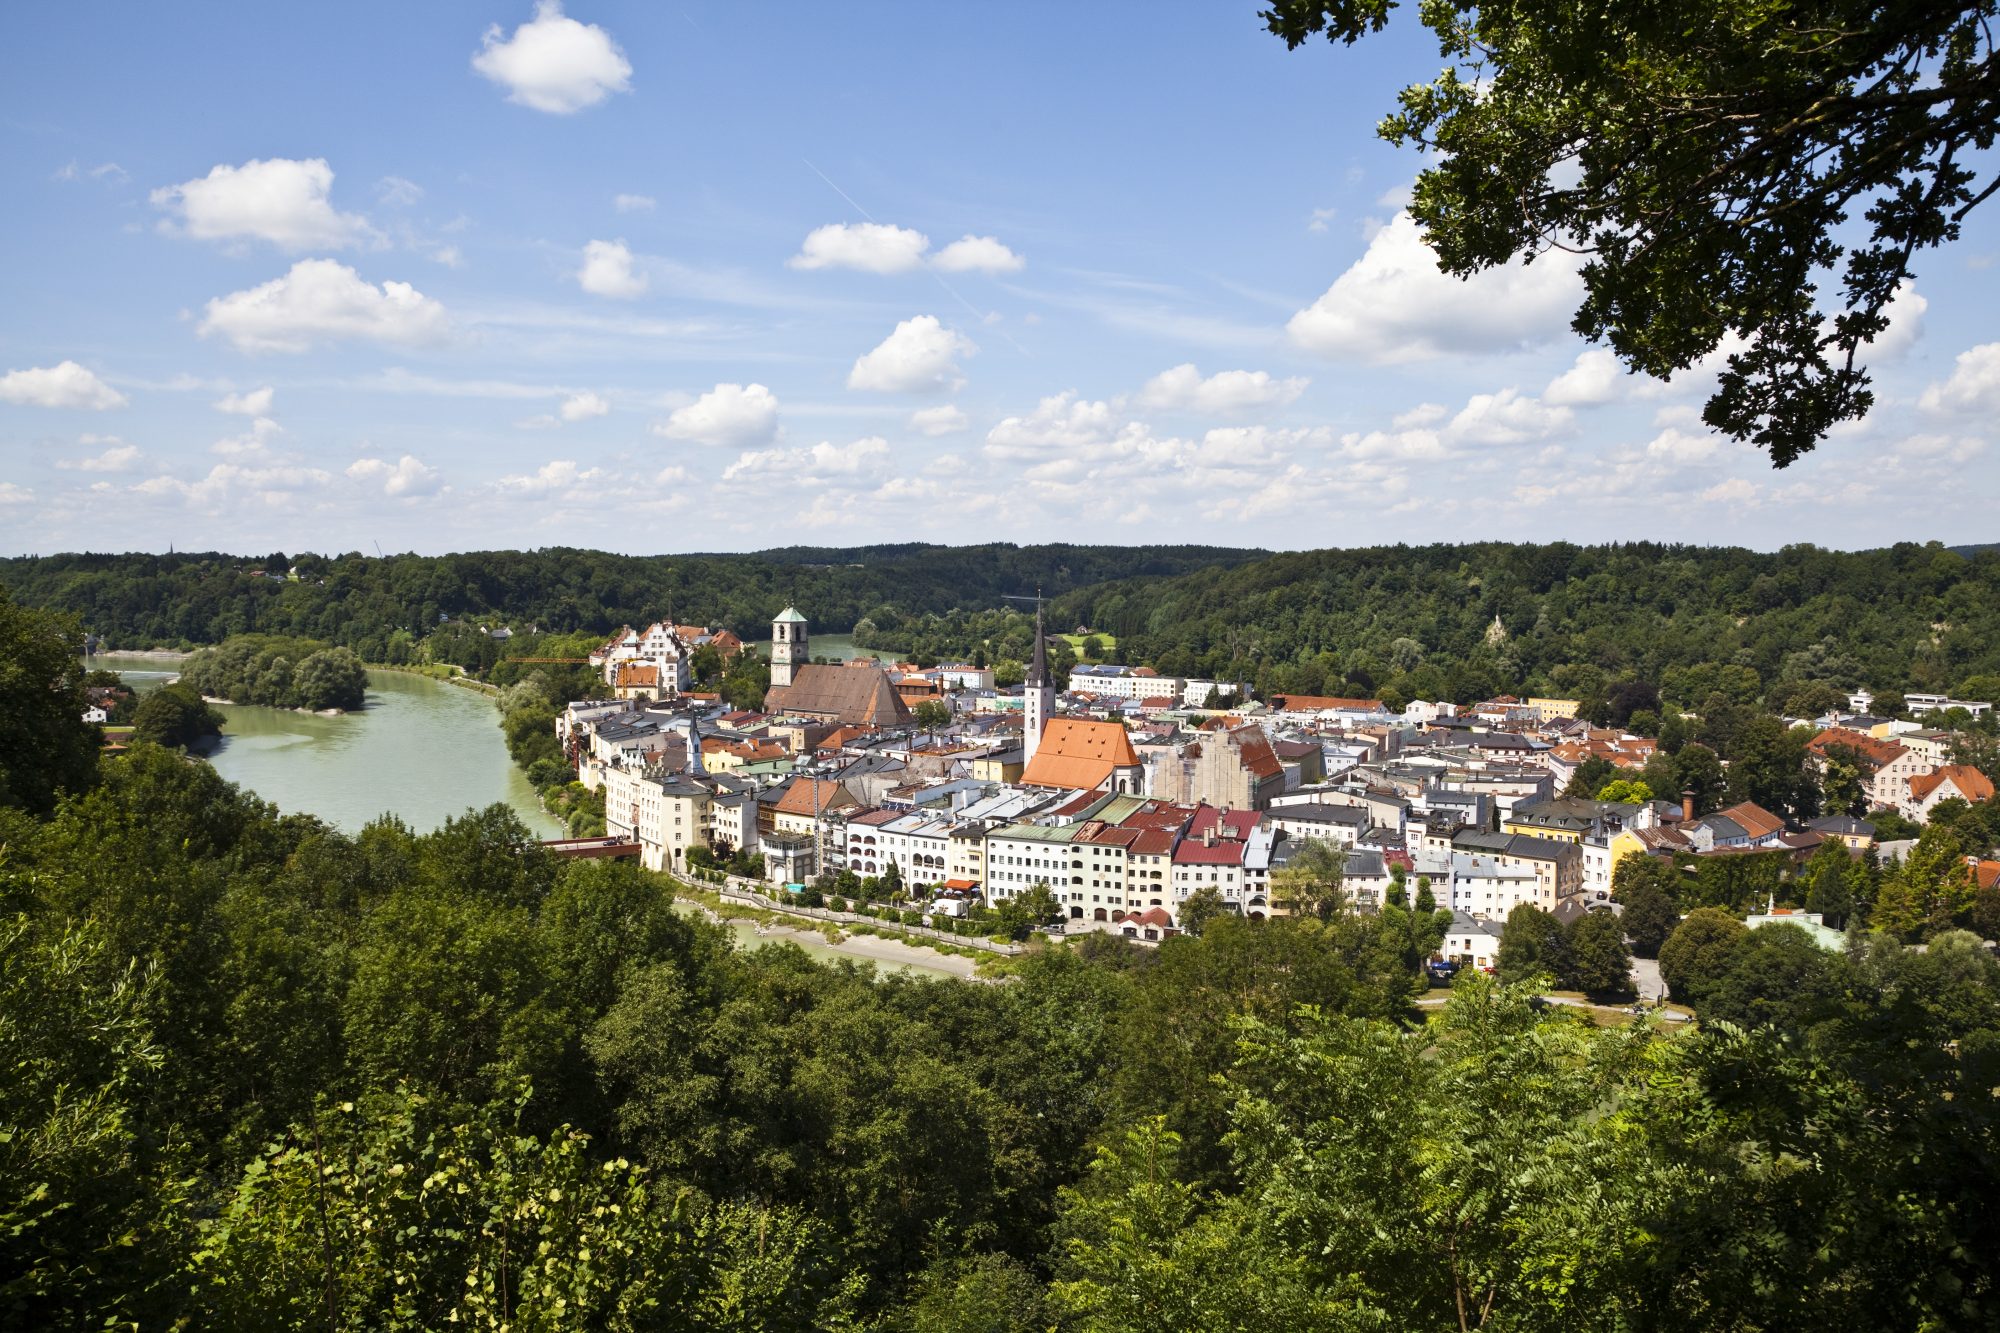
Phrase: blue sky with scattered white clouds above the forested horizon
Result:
[687,277]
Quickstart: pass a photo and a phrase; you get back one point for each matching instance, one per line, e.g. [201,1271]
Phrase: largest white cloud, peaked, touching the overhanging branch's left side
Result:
[1395,305]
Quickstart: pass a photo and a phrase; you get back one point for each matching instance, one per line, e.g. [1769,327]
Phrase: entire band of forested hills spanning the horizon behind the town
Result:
[1393,621]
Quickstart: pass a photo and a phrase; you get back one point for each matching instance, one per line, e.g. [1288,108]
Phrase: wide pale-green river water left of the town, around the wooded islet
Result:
[423,752]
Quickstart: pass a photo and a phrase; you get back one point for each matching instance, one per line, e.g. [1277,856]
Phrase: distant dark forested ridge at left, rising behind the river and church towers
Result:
[199,599]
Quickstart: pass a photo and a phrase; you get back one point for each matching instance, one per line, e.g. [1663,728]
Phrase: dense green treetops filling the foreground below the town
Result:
[263,1074]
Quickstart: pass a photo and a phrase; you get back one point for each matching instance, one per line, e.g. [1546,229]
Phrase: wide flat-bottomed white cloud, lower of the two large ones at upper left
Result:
[323,301]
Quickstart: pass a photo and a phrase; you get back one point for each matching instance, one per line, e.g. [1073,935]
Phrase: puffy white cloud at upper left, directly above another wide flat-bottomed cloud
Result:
[281,201]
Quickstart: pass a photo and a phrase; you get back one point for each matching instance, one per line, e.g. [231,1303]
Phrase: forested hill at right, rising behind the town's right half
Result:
[1421,621]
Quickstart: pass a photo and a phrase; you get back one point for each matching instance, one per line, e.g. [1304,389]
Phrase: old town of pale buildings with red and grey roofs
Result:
[1129,794]
